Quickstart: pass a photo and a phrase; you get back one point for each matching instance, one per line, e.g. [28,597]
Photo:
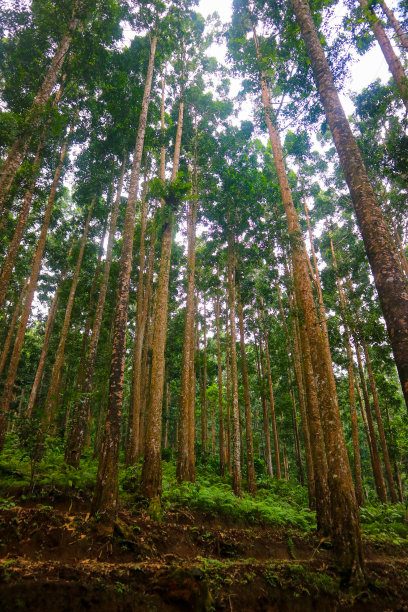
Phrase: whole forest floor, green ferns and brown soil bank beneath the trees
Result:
[207,552]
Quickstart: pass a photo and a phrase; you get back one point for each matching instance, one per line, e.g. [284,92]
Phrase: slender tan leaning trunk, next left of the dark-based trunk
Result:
[51,401]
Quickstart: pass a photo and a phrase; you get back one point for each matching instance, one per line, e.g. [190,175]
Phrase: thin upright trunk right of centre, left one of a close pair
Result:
[236,467]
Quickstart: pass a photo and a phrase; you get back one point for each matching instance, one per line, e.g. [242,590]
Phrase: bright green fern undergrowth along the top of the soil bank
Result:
[277,503]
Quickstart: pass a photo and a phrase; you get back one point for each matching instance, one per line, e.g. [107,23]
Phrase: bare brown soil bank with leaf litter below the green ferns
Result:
[57,558]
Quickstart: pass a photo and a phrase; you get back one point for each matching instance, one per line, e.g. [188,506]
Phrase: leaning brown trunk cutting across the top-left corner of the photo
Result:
[19,148]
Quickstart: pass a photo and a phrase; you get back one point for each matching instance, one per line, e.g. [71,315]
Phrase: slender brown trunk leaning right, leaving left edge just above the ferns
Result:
[32,286]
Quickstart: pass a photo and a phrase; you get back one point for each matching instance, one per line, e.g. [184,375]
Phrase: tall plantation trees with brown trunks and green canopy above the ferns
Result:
[175,286]
